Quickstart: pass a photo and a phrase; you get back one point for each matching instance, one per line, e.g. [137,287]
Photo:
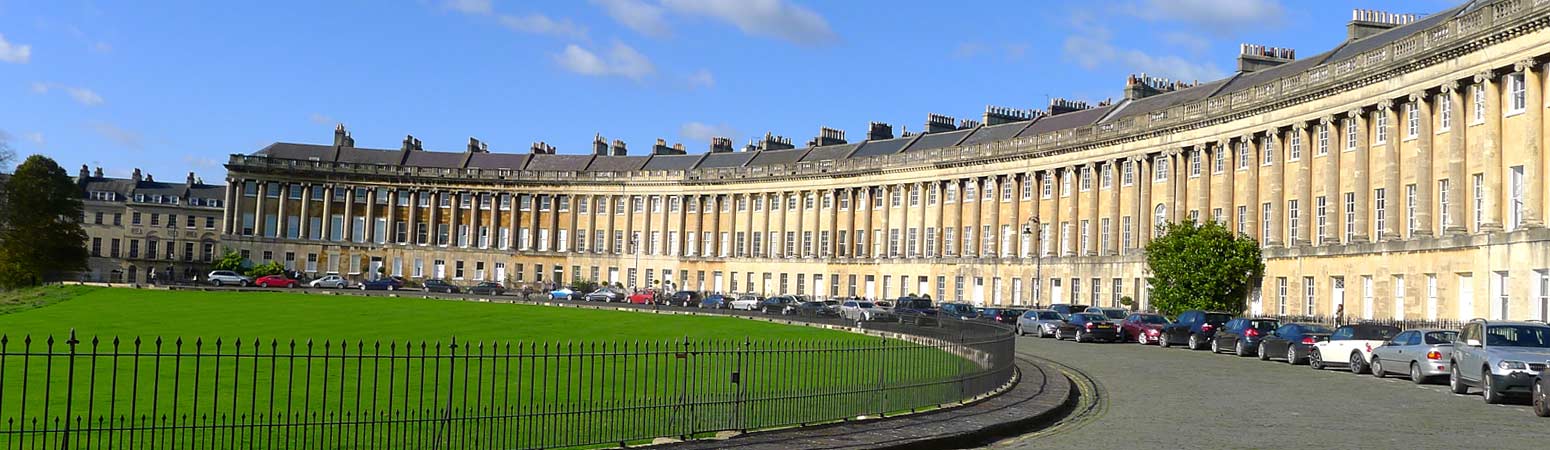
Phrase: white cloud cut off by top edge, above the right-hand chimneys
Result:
[1211,16]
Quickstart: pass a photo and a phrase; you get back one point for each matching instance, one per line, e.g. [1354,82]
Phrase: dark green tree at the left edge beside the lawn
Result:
[40,229]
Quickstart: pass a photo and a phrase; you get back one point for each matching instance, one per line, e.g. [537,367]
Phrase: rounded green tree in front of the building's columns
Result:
[1202,268]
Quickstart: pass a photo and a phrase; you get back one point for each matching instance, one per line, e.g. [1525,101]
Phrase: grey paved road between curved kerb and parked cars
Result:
[1188,400]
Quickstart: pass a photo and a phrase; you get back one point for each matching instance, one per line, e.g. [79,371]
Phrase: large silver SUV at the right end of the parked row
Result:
[1500,358]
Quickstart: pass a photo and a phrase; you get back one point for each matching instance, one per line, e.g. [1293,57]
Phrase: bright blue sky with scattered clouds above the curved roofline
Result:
[179,86]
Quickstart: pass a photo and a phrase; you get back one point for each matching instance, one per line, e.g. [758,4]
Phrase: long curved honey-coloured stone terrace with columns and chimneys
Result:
[1399,175]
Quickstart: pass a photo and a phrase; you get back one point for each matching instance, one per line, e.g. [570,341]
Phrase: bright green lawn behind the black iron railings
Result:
[532,378]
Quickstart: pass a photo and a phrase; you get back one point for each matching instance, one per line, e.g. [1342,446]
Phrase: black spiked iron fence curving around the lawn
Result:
[95,393]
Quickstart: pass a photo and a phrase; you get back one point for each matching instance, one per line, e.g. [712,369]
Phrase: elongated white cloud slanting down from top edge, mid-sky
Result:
[763,18]
